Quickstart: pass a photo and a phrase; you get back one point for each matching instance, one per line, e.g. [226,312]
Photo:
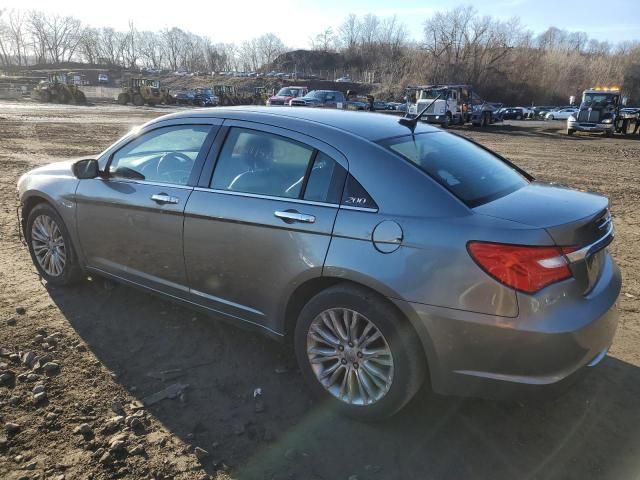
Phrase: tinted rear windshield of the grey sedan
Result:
[471,173]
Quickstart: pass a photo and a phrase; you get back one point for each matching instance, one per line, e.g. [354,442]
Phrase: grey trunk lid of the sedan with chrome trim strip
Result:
[572,218]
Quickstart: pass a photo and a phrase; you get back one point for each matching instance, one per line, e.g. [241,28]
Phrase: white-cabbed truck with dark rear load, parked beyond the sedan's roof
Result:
[450,104]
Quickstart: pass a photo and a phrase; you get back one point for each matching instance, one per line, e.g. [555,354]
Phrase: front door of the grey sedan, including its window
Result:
[130,220]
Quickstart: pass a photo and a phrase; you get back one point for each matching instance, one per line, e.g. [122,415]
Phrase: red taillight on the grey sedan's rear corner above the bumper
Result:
[524,268]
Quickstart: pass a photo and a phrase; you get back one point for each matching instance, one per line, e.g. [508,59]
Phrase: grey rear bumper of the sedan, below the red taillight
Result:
[542,349]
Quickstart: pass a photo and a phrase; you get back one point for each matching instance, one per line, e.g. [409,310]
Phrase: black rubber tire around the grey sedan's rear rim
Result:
[409,364]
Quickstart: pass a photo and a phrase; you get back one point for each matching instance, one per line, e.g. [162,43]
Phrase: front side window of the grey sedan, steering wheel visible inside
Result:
[164,155]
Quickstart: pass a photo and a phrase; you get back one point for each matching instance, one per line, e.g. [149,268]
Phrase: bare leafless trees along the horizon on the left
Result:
[36,38]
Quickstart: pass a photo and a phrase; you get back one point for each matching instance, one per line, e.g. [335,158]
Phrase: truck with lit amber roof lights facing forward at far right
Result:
[600,112]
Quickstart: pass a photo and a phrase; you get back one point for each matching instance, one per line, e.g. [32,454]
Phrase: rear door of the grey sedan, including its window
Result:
[262,223]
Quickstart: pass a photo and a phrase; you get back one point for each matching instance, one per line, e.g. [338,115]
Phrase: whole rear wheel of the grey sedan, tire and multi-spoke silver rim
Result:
[358,353]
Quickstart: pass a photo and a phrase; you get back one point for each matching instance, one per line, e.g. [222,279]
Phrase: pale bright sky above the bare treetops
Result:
[294,21]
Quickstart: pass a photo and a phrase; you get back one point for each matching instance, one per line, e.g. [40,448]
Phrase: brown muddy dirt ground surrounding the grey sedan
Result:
[114,346]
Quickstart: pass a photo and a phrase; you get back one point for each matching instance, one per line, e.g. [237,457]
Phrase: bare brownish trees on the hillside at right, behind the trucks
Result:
[503,60]
